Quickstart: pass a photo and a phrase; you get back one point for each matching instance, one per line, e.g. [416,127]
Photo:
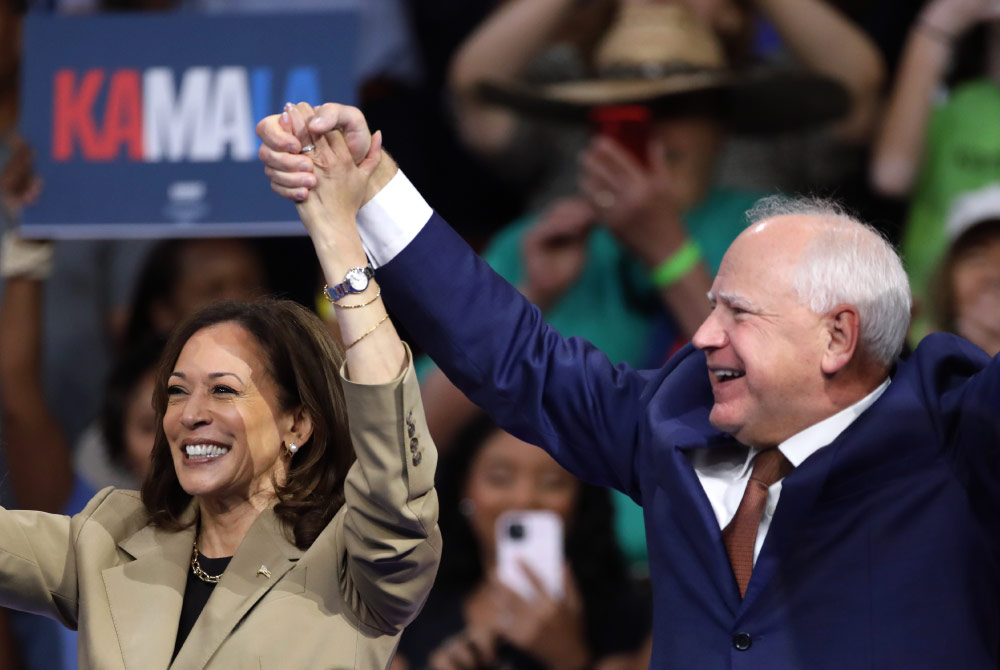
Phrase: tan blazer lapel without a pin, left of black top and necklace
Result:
[145,594]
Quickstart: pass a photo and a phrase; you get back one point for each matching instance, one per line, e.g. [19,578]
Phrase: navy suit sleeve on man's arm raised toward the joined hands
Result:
[559,393]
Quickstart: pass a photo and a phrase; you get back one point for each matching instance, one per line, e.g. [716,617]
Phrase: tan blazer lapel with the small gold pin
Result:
[243,583]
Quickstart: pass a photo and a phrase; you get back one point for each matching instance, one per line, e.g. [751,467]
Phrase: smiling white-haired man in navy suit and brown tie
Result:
[877,548]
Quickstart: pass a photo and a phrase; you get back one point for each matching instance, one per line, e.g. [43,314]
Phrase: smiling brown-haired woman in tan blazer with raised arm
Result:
[255,542]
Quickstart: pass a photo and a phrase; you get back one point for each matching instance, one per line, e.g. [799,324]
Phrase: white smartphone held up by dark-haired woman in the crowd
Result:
[533,538]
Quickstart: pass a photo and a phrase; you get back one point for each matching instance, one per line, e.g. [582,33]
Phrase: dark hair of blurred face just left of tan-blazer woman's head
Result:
[133,364]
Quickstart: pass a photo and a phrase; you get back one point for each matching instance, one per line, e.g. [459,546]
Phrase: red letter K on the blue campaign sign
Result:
[73,113]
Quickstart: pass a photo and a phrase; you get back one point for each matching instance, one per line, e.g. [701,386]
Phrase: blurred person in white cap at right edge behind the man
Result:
[965,299]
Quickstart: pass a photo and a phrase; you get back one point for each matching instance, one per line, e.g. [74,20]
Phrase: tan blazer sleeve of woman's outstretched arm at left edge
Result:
[38,560]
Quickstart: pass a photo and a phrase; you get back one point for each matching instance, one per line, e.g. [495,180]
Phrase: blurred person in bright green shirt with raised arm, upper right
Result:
[940,136]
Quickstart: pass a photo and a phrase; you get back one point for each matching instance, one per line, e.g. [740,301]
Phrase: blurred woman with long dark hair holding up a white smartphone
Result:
[601,621]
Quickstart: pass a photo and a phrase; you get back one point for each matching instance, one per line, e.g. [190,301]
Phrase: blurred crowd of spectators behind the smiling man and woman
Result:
[891,108]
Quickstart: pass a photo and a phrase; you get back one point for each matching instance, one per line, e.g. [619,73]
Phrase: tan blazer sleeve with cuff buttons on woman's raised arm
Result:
[390,532]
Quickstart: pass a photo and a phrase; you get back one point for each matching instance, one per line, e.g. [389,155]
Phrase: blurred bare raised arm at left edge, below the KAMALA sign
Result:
[37,454]
